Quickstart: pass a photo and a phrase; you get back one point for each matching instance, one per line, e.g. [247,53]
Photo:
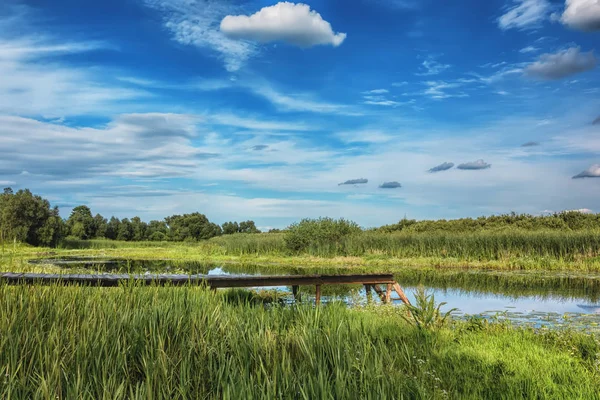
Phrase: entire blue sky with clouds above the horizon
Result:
[262,110]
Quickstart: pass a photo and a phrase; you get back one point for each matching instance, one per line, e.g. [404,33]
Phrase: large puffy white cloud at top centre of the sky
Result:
[287,22]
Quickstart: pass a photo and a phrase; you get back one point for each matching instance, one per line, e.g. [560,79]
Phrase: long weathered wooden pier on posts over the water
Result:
[374,282]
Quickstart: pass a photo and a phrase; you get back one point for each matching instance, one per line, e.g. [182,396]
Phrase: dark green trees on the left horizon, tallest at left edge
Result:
[28,218]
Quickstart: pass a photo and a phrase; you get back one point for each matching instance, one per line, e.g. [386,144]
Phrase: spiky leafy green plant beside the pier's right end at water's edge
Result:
[425,314]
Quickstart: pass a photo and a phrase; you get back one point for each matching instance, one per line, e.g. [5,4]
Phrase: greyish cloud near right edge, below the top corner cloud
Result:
[561,64]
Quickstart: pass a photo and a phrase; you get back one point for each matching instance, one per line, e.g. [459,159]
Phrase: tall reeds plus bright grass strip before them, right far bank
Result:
[506,249]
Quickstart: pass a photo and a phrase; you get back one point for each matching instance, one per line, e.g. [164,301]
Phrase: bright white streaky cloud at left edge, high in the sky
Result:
[33,80]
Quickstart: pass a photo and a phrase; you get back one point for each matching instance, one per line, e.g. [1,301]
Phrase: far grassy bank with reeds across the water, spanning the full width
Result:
[514,250]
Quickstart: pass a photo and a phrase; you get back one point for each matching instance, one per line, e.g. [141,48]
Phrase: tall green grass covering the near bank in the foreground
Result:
[134,342]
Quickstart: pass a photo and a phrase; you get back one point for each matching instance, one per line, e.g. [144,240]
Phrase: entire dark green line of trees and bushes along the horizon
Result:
[28,218]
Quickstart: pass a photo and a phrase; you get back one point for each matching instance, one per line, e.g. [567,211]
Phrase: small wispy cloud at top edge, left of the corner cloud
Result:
[524,14]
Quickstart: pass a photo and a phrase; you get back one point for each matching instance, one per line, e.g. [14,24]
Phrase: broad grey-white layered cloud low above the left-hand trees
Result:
[132,145]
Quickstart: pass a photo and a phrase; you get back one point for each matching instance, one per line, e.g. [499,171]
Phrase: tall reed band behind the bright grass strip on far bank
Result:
[468,246]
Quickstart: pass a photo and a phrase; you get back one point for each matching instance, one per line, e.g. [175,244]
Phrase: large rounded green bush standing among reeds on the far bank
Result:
[324,236]
